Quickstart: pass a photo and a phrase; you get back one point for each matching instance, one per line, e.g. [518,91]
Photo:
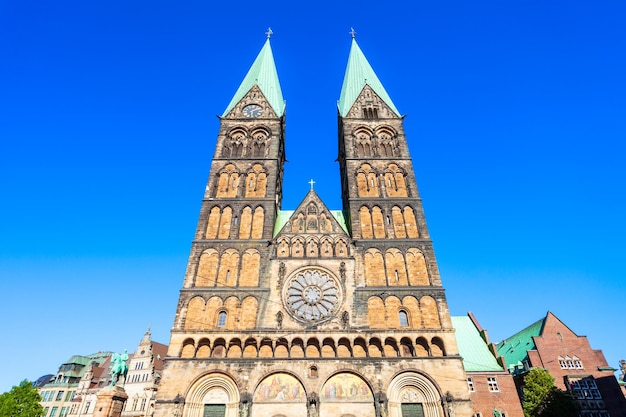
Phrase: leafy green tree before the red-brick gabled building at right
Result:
[543,399]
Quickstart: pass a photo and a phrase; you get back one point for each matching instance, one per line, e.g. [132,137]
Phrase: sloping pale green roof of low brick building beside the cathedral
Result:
[476,355]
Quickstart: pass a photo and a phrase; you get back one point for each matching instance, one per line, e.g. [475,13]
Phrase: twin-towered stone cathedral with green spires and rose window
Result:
[312,312]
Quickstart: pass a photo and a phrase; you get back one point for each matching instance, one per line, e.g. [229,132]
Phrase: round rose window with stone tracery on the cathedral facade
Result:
[312,296]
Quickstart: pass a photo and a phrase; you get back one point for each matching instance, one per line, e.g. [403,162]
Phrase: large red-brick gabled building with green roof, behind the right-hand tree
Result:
[575,366]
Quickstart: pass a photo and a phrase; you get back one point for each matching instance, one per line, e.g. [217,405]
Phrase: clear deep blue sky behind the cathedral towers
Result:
[515,122]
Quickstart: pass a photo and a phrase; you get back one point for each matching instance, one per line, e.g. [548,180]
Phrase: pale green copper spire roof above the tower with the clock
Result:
[262,73]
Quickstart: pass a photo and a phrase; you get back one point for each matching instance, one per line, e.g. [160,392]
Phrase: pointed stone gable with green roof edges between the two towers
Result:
[311,217]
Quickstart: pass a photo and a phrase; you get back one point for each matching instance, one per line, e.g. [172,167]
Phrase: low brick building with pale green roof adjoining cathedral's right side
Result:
[490,385]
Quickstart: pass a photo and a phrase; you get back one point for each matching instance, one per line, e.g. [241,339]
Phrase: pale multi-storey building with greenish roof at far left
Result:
[58,394]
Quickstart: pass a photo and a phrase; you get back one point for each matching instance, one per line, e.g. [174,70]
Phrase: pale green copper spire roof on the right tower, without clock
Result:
[359,72]
